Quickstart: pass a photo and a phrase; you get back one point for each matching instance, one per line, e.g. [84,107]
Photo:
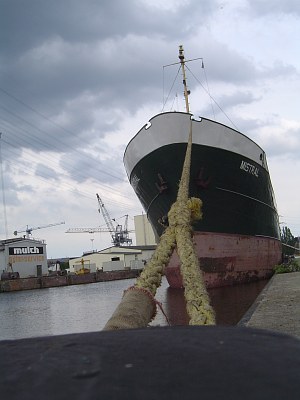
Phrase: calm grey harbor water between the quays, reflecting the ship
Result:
[86,308]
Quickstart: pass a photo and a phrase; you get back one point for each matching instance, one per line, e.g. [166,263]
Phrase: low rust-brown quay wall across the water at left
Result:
[56,280]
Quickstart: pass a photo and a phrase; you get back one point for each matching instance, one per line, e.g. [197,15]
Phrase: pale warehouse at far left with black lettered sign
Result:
[27,257]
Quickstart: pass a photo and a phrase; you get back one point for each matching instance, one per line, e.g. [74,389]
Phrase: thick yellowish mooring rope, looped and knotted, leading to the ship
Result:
[138,306]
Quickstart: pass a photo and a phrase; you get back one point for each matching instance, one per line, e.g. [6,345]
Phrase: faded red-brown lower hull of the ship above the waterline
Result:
[227,259]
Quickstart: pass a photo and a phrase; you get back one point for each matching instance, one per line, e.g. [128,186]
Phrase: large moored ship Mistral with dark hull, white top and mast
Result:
[238,238]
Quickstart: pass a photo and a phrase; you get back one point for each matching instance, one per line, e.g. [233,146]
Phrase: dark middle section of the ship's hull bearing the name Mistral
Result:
[234,200]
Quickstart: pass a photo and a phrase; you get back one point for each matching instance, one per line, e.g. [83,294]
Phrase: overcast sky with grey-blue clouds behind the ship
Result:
[79,78]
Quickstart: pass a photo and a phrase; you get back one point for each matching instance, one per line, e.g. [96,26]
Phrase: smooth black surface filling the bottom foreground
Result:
[155,363]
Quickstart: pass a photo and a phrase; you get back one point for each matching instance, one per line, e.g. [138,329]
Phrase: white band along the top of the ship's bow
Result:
[173,127]
